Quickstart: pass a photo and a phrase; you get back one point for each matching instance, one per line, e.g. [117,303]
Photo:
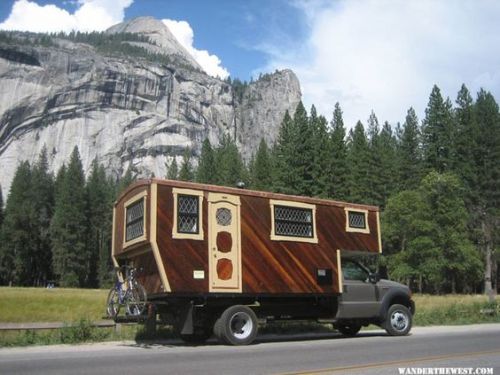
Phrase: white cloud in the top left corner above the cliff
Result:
[91,15]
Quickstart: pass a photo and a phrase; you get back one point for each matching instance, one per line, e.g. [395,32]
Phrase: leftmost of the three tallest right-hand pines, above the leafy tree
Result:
[437,133]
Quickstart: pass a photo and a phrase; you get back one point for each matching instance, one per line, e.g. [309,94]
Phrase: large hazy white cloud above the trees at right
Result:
[386,55]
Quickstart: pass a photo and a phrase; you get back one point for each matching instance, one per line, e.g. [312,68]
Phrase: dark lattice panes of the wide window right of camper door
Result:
[293,222]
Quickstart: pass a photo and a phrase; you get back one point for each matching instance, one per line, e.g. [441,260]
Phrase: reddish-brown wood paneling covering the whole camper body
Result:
[268,266]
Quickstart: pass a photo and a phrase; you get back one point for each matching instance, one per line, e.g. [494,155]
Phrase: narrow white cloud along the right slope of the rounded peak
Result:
[184,34]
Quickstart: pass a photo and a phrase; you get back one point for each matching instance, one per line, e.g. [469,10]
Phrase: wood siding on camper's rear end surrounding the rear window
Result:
[118,235]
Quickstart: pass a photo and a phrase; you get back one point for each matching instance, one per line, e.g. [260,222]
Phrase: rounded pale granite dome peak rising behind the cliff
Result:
[162,39]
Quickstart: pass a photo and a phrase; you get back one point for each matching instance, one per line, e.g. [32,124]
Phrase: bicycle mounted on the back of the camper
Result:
[127,292]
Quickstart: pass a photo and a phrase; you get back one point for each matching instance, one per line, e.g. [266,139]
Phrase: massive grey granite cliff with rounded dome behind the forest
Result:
[59,93]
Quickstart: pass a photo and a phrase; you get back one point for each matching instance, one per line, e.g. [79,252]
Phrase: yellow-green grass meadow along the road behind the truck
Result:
[80,307]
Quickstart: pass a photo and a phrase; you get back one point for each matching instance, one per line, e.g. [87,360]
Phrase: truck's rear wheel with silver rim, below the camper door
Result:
[237,325]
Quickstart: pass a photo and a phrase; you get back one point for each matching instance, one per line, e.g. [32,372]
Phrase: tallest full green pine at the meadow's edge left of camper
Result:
[69,226]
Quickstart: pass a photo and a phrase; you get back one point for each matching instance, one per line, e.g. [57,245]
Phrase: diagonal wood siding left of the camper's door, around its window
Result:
[181,257]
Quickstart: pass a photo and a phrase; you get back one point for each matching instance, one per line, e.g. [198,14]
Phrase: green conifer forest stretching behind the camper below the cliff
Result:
[435,179]
